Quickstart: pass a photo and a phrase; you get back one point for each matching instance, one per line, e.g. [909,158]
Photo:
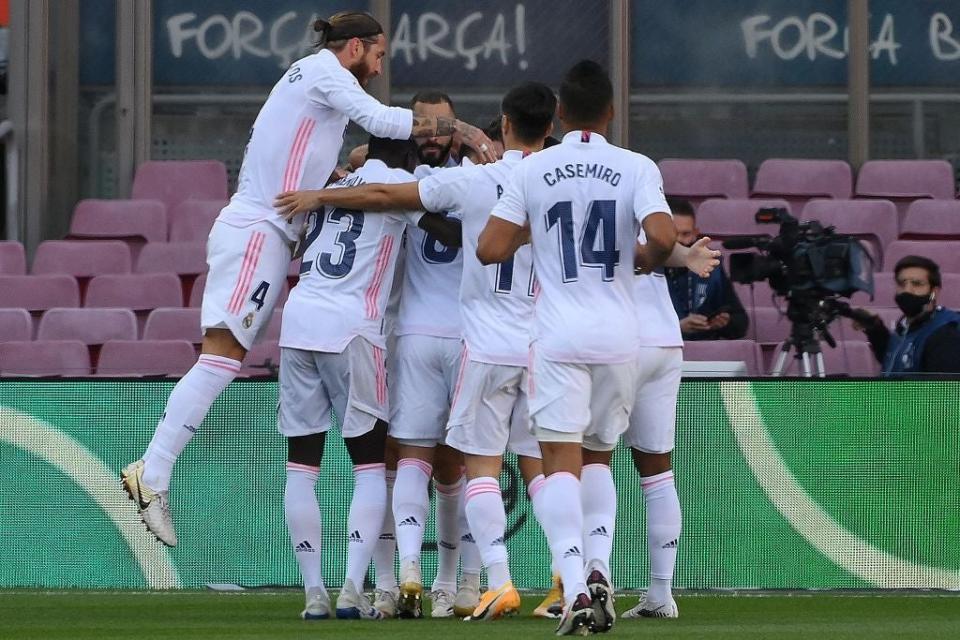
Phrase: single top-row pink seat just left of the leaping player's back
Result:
[174,181]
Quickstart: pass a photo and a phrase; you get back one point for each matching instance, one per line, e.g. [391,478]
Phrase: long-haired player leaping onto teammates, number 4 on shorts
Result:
[294,143]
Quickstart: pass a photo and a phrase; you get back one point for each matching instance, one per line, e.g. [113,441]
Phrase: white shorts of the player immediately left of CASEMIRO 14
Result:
[489,414]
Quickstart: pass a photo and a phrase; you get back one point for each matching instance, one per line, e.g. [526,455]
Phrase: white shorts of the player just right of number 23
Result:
[425,370]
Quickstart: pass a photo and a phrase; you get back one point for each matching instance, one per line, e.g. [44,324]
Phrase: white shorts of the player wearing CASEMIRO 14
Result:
[576,402]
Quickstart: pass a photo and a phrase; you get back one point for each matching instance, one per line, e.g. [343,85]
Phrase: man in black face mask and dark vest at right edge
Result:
[927,337]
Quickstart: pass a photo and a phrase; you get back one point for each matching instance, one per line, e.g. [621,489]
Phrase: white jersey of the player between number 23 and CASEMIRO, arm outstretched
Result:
[496,300]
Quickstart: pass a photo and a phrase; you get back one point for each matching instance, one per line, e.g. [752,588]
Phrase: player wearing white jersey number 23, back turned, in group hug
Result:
[332,358]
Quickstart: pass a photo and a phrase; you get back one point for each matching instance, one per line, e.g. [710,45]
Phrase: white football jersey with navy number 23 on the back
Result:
[346,271]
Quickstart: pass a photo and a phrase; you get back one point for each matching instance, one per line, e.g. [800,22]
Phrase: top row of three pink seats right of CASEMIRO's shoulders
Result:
[797,181]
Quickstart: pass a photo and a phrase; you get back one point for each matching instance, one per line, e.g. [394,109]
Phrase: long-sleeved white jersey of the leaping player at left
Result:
[296,138]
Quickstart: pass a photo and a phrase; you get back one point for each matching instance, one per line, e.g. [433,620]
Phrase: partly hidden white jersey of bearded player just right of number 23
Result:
[431,281]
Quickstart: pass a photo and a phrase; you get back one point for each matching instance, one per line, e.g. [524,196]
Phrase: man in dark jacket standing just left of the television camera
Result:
[708,308]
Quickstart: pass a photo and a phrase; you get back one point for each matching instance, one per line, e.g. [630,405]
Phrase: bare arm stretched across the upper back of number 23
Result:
[368,197]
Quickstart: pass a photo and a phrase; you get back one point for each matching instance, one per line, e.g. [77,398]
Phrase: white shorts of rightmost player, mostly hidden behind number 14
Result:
[653,421]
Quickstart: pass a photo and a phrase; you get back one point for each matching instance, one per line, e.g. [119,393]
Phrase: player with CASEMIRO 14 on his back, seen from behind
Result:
[584,201]
